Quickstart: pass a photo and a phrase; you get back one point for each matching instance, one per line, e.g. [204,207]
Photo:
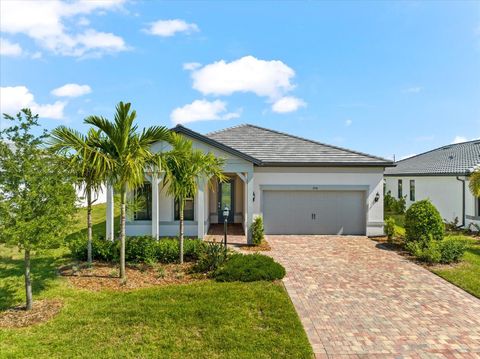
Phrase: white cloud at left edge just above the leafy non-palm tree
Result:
[13,99]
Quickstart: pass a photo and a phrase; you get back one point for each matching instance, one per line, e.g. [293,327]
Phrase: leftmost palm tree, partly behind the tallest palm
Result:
[80,147]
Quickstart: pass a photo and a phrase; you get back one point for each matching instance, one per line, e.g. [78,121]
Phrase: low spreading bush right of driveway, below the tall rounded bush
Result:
[445,251]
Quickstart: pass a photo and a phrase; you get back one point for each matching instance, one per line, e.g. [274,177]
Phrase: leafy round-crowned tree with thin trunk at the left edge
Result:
[37,195]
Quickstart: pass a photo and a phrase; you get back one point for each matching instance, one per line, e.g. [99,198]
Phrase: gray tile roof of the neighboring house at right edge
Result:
[456,159]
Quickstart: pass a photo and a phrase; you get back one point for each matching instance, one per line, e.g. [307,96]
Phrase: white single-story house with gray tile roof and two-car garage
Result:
[299,186]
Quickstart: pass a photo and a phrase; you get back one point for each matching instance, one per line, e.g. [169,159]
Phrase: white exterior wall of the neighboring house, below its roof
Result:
[445,192]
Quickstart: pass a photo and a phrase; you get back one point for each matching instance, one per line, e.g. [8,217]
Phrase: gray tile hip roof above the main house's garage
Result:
[277,148]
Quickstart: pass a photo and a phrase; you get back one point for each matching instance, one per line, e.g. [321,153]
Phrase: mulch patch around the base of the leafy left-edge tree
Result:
[42,311]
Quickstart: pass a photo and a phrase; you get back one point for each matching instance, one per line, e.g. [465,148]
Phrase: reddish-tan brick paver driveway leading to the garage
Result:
[356,300]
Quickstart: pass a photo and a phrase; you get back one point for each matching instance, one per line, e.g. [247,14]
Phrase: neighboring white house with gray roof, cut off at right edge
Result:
[440,175]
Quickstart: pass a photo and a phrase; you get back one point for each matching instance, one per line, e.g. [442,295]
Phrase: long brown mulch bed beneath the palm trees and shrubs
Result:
[103,276]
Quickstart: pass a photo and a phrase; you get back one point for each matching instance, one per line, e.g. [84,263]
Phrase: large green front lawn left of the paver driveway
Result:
[199,320]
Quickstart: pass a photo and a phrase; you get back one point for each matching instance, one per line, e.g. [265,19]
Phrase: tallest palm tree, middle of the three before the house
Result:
[127,153]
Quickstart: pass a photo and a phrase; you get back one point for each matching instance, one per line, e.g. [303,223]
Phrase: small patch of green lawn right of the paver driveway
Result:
[466,274]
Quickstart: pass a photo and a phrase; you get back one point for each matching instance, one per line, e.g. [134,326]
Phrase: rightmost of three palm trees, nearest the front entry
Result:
[184,168]
